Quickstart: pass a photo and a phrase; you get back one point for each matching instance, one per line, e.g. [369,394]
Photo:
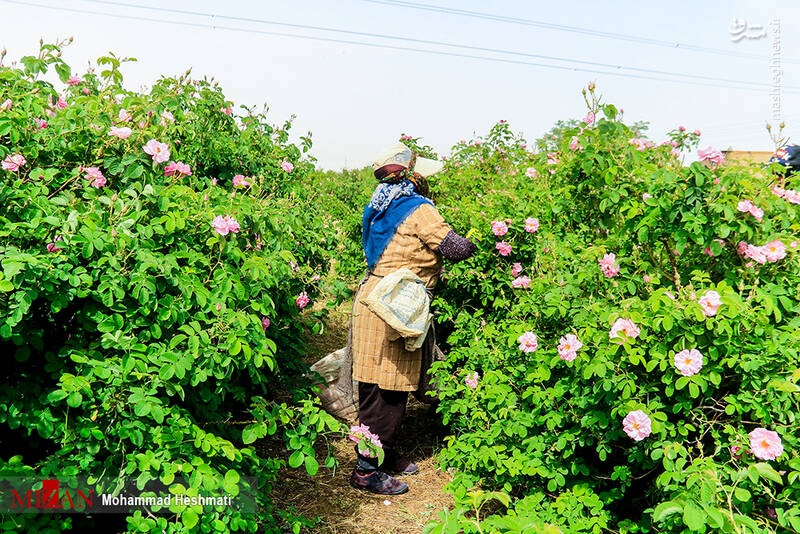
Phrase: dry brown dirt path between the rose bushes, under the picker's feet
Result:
[342,509]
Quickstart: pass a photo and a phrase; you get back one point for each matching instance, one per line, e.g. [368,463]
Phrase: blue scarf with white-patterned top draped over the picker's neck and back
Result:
[390,205]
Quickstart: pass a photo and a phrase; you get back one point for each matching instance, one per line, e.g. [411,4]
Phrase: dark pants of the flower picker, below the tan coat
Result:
[382,411]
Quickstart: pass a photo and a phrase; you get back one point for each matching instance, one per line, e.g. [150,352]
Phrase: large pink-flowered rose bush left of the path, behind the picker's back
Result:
[147,306]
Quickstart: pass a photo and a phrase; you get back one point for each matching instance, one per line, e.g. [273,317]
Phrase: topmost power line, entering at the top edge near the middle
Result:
[572,29]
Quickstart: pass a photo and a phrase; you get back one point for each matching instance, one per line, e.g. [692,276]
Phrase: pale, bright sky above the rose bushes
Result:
[356,99]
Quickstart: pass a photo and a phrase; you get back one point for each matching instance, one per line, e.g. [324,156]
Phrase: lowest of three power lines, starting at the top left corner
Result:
[390,47]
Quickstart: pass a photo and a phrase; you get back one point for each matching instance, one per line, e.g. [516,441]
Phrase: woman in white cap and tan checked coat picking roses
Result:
[401,228]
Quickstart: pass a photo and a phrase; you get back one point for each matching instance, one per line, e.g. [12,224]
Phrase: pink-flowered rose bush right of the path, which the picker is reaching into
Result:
[677,409]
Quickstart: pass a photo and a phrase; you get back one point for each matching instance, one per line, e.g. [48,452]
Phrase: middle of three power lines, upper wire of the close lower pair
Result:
[435,43]
